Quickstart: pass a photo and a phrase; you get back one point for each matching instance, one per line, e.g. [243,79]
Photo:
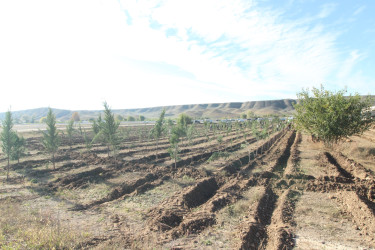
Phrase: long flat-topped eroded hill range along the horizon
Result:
[212,110]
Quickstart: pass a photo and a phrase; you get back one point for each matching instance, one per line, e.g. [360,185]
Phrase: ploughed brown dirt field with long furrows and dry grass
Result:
[281,192]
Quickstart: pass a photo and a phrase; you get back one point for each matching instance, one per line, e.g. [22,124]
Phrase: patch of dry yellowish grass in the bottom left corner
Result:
[29,229]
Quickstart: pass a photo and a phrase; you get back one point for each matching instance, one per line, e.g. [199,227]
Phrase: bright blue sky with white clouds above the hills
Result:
[75,54]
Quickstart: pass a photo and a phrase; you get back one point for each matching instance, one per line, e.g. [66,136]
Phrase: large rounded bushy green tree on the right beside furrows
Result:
[331,116]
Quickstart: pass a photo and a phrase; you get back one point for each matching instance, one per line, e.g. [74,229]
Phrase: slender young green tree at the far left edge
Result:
[8,138]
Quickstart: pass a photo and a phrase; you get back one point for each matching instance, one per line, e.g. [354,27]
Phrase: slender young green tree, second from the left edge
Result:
[51,140]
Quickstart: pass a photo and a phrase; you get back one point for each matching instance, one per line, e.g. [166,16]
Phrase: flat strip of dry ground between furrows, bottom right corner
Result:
[321,224]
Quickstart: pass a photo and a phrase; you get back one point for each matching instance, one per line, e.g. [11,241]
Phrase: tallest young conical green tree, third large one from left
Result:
[109,130]
